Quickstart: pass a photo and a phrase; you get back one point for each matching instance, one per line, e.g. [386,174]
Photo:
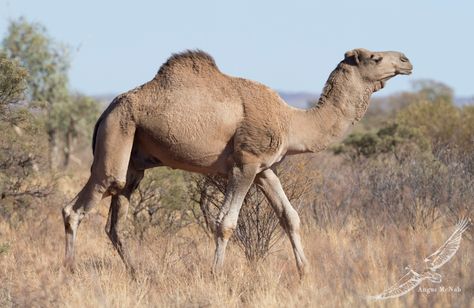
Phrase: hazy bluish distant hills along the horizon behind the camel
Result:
[295,99]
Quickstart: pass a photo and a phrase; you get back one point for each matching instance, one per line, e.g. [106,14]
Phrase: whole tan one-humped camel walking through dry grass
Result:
[193,117]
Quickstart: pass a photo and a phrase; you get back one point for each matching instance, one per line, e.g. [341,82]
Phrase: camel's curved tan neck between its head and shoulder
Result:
[344,100]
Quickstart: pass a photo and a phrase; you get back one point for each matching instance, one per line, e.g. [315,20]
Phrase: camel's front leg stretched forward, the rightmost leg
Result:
[289,218]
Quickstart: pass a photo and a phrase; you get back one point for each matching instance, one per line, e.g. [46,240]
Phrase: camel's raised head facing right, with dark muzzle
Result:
[378,66]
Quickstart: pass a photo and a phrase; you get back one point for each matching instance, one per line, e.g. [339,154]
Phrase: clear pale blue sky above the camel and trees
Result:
[288,45]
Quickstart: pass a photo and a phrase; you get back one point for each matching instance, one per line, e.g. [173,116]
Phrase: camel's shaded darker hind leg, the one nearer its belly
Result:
[118,216]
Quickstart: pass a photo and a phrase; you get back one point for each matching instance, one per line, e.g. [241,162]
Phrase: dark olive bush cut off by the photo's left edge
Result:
[20,146]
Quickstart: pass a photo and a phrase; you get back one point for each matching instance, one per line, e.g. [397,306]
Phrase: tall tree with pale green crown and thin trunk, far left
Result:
[47,64]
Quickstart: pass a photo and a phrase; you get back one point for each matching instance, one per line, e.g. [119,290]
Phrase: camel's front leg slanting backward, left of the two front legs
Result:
[239,183]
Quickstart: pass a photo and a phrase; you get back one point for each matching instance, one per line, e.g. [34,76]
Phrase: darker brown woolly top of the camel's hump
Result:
[193,59]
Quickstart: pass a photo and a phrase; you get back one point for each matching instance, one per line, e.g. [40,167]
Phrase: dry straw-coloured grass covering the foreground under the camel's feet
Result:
[174,270]
